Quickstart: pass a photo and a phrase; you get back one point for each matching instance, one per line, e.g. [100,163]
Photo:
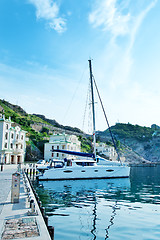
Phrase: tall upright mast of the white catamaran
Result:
[93,110]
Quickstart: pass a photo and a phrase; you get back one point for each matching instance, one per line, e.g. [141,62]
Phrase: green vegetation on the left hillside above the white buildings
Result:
[36,138]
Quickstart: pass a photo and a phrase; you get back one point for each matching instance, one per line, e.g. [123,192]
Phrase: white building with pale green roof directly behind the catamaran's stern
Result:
[62,142]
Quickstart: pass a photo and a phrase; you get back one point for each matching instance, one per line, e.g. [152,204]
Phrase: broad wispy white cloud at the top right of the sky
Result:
[117,18]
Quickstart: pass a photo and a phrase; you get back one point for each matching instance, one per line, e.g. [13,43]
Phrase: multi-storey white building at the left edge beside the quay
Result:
[12,142]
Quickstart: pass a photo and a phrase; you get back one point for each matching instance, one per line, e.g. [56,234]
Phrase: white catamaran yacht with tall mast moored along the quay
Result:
[88,166]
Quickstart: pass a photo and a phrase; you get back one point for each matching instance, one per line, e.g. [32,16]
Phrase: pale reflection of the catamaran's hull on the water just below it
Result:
[80,193]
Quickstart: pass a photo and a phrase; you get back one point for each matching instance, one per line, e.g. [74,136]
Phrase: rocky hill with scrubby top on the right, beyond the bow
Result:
[138,144]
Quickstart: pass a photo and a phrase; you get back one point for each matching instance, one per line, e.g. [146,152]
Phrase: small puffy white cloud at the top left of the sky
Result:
[49,10]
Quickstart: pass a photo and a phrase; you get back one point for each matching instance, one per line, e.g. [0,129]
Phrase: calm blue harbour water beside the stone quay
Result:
[105,209]
